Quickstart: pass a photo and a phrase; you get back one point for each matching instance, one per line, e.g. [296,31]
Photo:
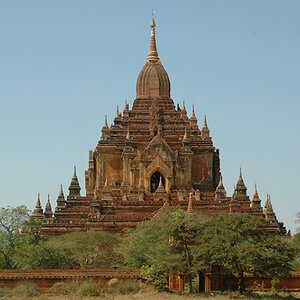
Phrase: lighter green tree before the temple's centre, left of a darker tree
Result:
[165,241]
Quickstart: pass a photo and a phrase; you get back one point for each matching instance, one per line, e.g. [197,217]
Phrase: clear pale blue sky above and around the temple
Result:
[65,64]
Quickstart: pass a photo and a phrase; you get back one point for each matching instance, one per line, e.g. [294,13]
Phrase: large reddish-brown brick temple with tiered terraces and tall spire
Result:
[153,154]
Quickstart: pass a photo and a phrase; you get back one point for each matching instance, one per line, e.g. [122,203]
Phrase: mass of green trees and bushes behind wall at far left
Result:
[21,246]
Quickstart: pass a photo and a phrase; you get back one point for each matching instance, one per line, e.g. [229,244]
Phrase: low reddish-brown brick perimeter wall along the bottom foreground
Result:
[45,279]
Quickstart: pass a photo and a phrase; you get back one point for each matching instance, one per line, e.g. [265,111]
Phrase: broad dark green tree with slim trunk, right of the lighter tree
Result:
[240,243]
